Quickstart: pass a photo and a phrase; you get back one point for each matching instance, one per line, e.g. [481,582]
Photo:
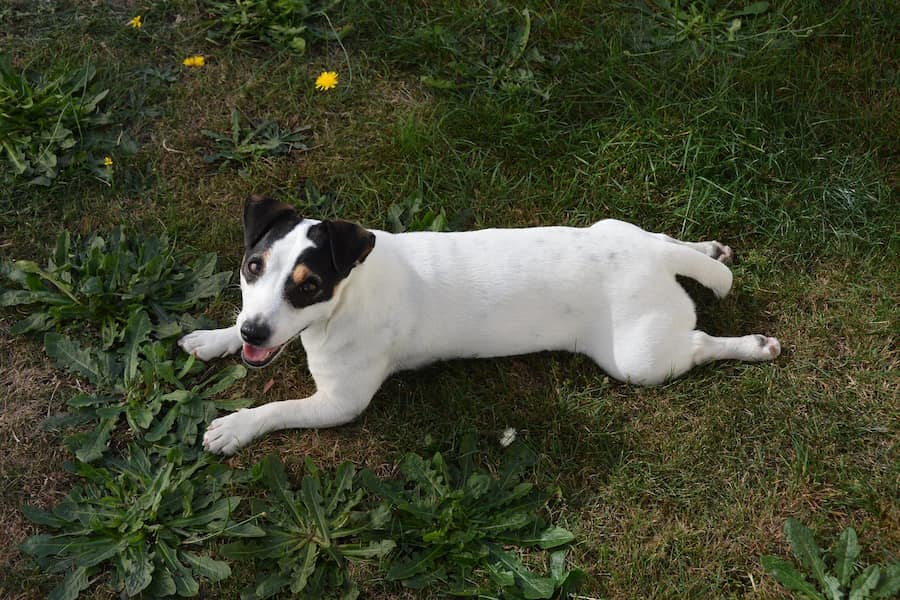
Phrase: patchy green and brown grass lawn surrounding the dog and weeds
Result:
[781,143]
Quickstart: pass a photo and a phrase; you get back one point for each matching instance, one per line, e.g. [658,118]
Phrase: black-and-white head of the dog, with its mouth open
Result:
[291,274]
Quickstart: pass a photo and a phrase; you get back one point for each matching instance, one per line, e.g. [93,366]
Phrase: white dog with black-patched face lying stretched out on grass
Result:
[368,303]
